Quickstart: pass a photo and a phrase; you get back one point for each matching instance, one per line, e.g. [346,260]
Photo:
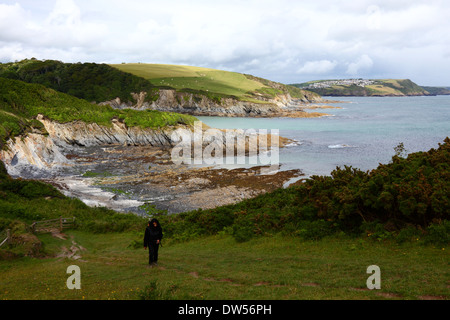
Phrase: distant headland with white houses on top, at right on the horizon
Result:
[360,87]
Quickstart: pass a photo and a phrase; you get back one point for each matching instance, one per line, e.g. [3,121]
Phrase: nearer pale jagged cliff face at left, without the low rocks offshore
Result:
[41,152]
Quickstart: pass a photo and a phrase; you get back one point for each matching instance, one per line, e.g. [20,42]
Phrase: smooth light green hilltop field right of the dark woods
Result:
[195,78]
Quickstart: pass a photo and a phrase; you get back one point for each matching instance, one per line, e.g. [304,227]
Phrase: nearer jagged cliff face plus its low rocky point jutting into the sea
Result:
[39,152]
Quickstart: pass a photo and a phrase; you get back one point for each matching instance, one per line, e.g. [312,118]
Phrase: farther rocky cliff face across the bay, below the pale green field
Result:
[199,105]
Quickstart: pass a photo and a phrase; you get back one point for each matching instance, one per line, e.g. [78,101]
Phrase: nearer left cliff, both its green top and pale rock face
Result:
[39,124]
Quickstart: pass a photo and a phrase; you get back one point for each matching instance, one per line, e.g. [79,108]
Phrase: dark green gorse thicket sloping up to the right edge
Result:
[407,194]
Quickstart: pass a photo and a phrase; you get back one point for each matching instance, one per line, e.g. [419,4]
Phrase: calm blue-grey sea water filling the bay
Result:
[362,134]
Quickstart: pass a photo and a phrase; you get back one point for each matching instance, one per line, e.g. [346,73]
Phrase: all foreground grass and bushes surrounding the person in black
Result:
[310,241]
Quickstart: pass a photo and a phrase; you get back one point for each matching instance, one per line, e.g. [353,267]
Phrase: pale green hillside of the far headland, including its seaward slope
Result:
[210,82]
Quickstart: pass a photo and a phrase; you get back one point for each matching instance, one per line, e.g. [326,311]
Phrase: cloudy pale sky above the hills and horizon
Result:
[289,41]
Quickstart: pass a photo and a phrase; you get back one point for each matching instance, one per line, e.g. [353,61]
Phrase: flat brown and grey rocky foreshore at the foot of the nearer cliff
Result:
[124,178]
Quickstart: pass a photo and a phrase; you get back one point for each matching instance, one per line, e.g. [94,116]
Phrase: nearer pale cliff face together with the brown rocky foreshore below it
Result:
[124,168]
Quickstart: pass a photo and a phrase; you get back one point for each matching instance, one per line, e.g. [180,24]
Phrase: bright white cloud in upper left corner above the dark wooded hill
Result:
[62,33]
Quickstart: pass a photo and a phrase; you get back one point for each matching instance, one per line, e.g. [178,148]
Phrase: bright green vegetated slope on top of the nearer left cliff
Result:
[21,102]
